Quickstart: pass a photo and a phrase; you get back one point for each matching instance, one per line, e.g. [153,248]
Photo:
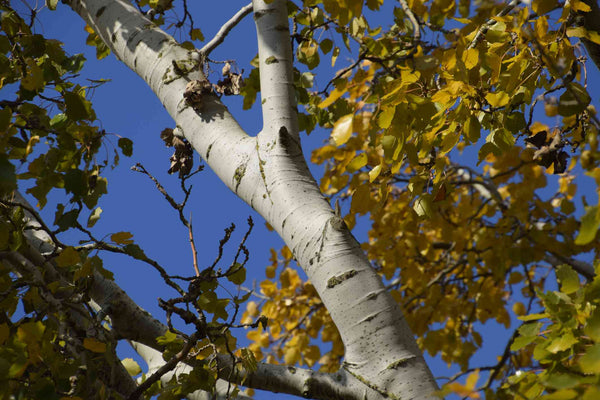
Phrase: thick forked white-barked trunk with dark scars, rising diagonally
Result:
[269,173]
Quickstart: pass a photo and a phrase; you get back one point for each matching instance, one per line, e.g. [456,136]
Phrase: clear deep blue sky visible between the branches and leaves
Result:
[126,107]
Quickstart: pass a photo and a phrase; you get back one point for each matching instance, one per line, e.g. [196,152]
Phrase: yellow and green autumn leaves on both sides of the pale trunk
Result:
[462,134]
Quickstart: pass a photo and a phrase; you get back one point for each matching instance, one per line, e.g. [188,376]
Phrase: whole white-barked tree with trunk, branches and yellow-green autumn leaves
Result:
[449,242]
